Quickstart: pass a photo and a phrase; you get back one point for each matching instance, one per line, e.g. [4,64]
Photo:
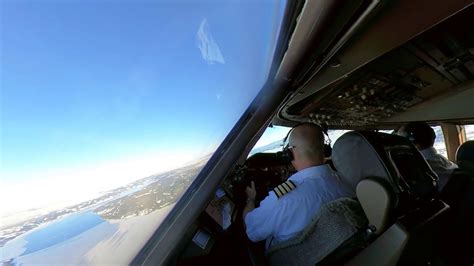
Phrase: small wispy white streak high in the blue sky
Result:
[209,49]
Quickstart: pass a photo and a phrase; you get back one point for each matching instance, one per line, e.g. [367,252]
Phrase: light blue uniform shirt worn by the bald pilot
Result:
[279,219]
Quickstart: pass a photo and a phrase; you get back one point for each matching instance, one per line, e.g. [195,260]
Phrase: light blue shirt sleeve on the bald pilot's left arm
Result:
[260,222]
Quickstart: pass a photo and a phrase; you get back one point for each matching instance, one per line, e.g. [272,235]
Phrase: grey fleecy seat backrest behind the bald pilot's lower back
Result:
[336,222]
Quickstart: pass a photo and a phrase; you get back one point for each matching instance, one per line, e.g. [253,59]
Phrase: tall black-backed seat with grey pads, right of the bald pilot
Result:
[397,190]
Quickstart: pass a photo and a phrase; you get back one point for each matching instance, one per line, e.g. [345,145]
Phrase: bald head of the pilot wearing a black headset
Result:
[307,141]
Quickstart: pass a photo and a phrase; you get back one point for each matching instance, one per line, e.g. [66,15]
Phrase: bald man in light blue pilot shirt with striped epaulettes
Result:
[290,206]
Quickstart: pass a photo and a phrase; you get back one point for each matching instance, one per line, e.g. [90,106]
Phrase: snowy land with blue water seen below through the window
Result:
[130,214]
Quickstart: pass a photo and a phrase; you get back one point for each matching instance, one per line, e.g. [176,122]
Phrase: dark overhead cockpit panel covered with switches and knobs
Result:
[429,66]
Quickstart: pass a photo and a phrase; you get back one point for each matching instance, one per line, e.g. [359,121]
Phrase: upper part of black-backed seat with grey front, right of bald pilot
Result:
[361,154]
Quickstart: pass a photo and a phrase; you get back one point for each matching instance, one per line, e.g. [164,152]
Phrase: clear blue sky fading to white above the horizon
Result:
[95,94]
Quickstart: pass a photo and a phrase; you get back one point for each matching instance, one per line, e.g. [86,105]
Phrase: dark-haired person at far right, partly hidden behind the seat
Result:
[423,137]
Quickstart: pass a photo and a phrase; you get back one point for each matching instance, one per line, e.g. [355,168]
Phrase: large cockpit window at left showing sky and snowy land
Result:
[109,109]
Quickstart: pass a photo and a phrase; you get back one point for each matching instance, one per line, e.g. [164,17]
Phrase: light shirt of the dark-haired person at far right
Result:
[440,165]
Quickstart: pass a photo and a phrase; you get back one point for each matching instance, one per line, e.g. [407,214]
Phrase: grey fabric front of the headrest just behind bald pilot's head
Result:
[355,159]
